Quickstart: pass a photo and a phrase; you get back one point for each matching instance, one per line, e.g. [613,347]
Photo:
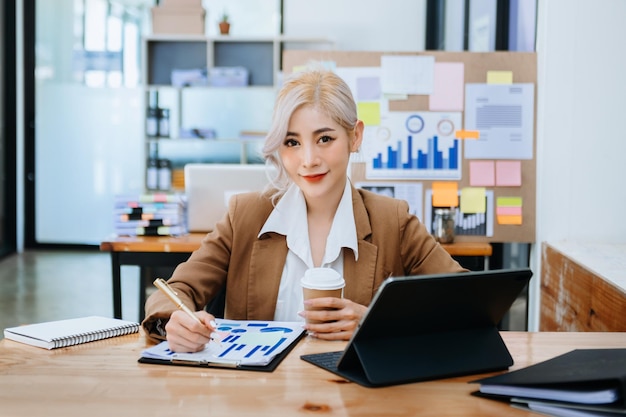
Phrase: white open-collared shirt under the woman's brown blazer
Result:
[289,218]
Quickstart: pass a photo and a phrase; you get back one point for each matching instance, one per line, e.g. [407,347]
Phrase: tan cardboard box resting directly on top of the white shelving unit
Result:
[178,20]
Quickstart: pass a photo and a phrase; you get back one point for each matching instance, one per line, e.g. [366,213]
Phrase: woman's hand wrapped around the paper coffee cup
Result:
[331,318]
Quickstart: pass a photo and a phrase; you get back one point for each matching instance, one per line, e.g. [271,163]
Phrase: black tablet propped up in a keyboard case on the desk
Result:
[428,327]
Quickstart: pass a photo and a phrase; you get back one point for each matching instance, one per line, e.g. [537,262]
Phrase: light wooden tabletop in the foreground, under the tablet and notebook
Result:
[104,379]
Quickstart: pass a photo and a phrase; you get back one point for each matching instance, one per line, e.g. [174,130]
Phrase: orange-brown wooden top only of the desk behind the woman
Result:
[190,242]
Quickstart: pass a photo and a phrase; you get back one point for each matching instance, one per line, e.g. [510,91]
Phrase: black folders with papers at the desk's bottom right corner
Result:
[583,382]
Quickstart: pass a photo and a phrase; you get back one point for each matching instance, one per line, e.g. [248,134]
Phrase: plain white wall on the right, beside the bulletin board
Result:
[581,94]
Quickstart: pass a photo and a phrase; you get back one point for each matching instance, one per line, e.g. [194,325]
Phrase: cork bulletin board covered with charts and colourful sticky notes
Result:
[484,146]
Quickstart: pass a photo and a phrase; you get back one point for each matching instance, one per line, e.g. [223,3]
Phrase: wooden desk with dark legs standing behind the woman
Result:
[147,252]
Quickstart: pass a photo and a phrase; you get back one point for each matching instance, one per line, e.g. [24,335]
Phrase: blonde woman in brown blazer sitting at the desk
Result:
[312,217]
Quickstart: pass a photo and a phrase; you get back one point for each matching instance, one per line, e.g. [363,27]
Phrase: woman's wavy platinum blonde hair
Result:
[316,87]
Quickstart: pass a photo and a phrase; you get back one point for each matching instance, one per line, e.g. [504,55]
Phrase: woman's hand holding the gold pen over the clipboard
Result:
[184,334]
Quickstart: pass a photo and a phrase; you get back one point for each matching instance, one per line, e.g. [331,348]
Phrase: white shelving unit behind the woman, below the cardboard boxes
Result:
[228,111]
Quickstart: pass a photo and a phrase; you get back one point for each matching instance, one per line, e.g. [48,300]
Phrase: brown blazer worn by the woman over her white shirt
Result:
[391,242]
